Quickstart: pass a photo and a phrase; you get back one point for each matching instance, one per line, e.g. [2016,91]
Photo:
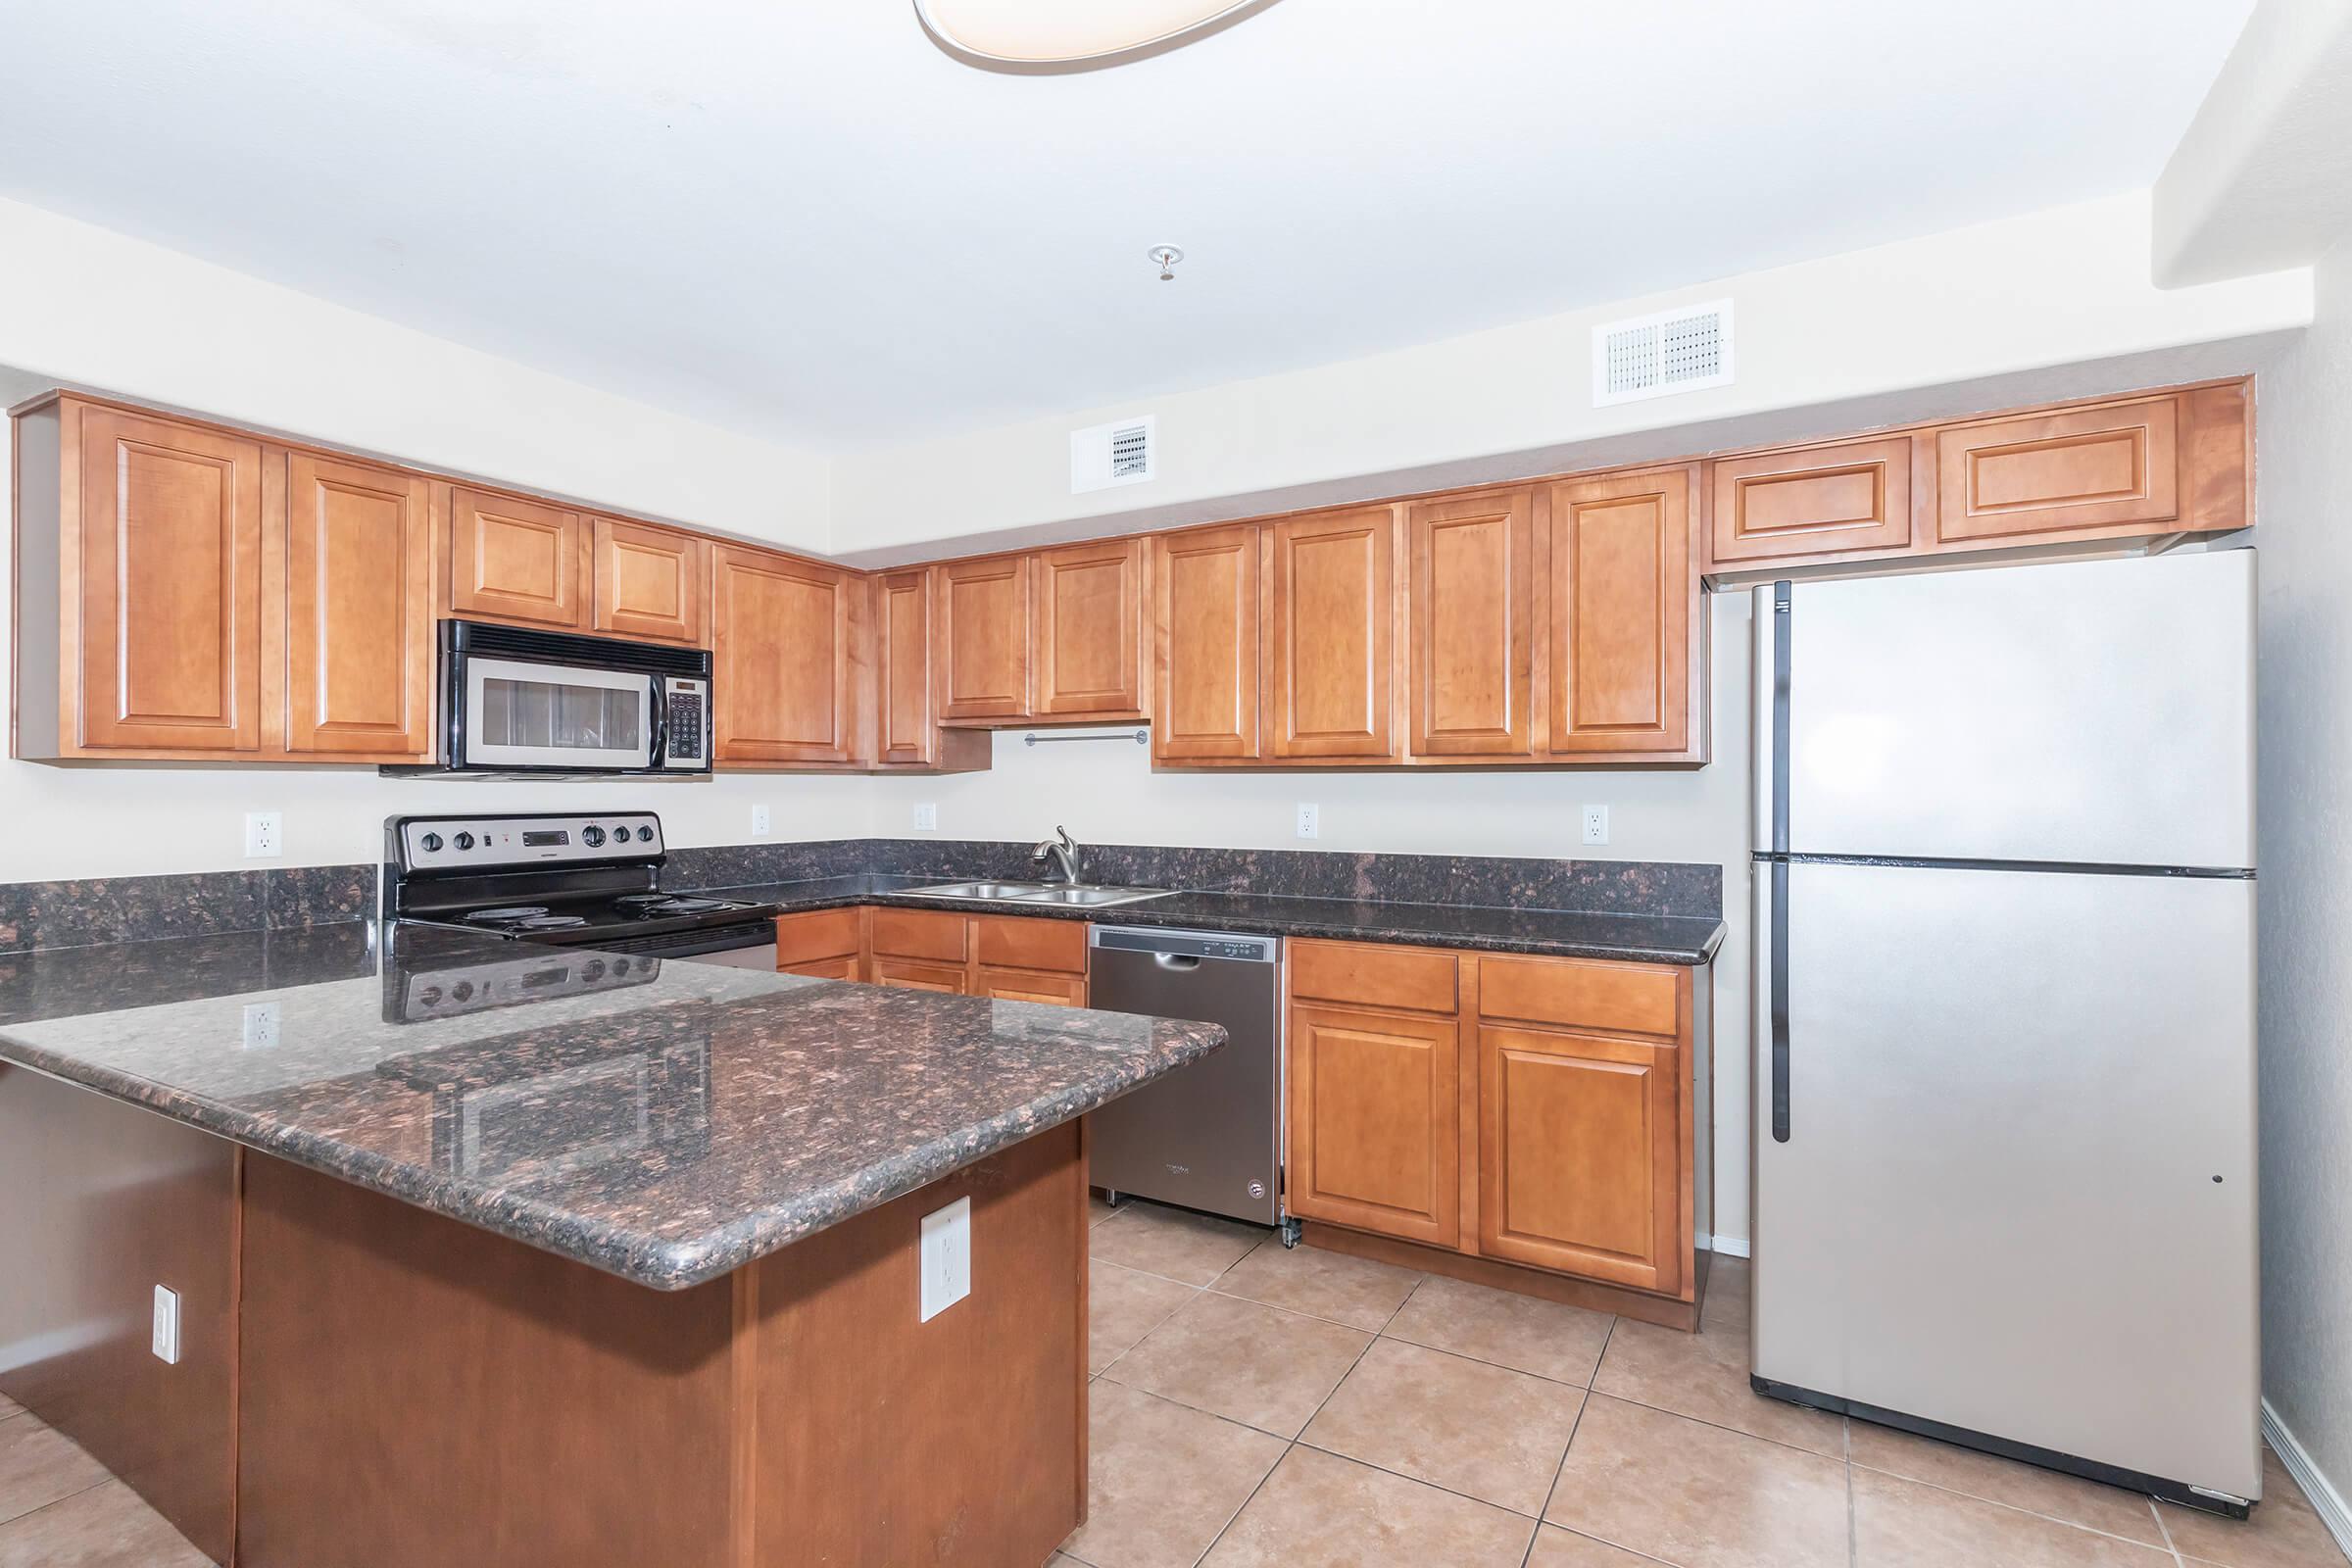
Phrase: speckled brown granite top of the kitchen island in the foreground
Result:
[667,1127]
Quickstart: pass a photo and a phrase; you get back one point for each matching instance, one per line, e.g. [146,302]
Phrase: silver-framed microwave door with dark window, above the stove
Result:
[537,716]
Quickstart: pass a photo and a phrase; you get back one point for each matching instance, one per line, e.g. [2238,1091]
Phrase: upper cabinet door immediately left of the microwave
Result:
[359,610]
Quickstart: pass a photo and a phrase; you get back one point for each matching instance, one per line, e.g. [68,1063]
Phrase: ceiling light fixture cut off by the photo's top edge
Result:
[1038,36]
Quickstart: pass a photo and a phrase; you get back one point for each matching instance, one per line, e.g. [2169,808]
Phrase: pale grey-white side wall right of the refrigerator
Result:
[2306,878]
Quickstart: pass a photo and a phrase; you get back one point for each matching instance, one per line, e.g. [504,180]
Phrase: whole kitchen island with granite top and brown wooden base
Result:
[622,1271]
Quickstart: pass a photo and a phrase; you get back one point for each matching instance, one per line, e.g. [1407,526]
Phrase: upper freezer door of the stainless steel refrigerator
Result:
[2076,713]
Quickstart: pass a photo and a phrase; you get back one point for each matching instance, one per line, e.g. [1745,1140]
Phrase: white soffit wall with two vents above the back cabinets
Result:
[2045,290]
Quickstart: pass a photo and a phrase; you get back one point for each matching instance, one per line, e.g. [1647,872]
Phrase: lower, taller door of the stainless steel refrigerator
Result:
[2019,1186]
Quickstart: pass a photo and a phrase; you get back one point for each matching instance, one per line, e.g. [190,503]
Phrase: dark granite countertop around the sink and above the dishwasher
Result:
[1645,939]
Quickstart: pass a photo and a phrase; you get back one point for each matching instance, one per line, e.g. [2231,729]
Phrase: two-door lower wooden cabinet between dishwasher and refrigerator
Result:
[1521,1111]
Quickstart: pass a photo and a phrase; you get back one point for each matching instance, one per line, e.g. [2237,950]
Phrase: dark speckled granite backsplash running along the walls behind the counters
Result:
[208,904]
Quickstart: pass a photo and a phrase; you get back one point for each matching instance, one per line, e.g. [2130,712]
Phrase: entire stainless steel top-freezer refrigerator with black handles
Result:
[2005,1179]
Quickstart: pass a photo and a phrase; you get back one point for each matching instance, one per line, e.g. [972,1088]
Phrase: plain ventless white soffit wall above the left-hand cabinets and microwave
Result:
[98,309]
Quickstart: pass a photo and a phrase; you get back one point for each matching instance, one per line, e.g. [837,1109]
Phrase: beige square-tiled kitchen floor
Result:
[1299,1409]
